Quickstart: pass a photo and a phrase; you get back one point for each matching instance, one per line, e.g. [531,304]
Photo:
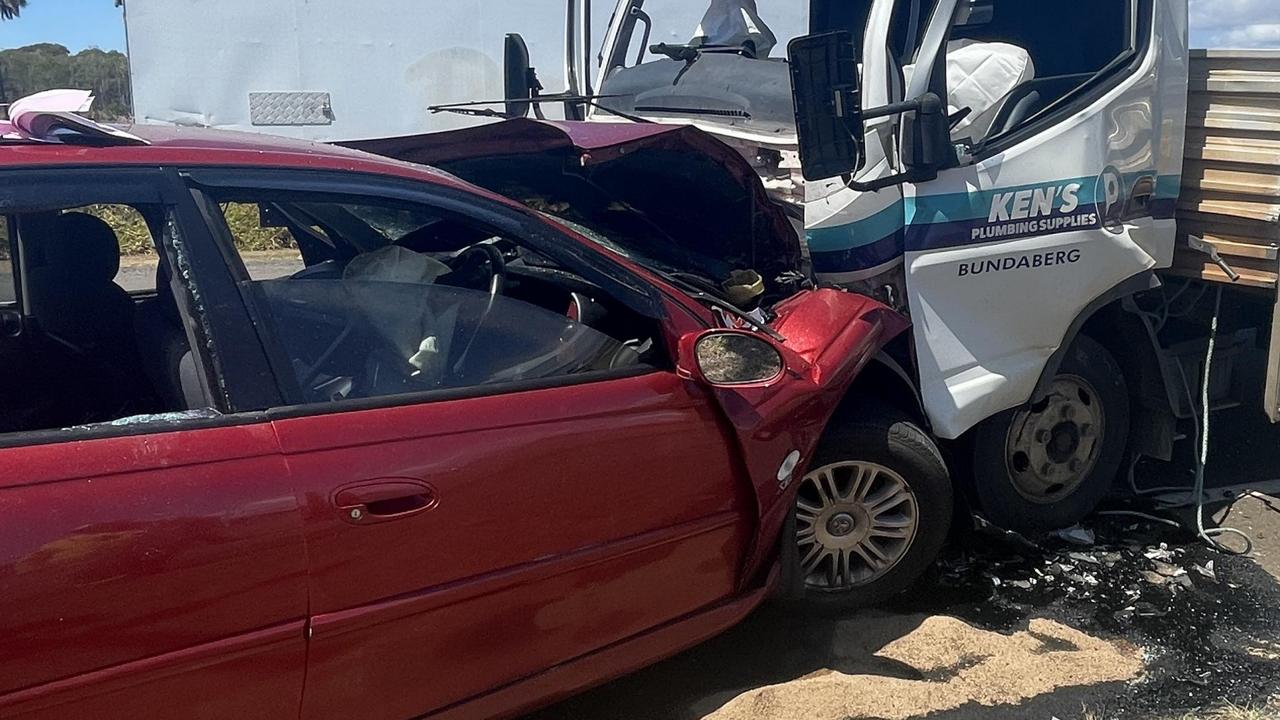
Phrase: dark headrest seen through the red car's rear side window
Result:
[81,247]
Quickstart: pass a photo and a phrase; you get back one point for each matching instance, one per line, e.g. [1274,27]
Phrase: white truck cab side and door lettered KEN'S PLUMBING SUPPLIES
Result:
[1069,133]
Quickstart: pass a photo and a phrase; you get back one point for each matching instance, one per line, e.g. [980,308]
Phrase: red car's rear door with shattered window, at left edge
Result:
[150,566]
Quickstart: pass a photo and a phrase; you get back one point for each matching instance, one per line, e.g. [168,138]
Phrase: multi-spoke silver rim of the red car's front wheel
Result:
[856,522]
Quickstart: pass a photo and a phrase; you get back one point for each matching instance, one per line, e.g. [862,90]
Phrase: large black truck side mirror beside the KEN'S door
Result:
[829,104]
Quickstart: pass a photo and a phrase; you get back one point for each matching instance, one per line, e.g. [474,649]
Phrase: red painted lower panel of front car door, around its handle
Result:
[557,531]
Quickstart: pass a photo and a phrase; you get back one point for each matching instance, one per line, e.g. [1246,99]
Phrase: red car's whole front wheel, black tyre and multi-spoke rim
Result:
[871,516]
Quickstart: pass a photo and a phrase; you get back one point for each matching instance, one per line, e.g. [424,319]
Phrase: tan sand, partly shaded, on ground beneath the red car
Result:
[874,666]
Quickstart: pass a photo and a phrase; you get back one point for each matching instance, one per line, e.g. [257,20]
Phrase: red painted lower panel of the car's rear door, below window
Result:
[125,559]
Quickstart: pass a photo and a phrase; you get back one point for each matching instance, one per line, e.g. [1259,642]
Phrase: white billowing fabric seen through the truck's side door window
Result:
[981,76]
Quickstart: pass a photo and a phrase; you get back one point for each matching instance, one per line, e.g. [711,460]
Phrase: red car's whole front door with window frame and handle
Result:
[461,540]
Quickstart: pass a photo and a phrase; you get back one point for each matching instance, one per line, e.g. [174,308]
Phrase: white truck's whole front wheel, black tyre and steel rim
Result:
[1049,464]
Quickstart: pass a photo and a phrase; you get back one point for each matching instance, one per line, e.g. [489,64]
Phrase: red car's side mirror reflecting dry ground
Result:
[730,359]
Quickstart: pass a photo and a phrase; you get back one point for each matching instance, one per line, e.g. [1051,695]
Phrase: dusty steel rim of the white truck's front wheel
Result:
[1055,445]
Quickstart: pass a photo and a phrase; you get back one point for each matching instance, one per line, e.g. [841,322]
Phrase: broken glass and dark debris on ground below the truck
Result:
[1178,601]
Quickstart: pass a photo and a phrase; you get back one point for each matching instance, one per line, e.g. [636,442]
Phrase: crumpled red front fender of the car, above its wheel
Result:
[830,338]
